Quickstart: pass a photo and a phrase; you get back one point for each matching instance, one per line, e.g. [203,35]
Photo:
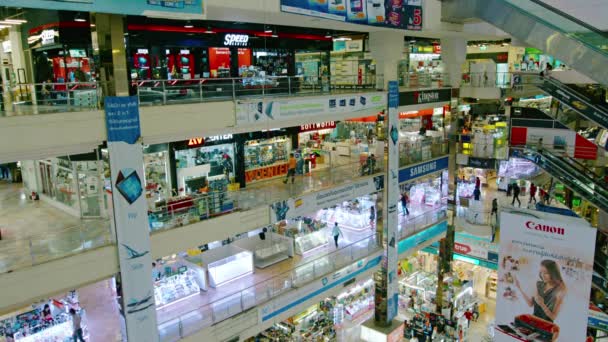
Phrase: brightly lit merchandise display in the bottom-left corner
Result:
[34,324]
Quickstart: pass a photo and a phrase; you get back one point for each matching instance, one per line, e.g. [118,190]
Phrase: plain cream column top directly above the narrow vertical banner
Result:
[387,51]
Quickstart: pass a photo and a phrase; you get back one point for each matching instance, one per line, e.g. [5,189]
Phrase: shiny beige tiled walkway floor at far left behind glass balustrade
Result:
[35,232]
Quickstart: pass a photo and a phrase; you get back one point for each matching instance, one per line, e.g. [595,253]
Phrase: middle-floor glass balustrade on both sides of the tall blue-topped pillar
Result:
[37,249]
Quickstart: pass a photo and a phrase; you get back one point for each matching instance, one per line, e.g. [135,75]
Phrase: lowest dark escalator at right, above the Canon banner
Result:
[570,173]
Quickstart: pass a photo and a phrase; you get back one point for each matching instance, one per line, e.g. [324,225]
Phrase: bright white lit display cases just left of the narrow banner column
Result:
[352,215]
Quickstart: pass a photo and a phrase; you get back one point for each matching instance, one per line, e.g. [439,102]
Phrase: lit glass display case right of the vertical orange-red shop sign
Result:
[262,153]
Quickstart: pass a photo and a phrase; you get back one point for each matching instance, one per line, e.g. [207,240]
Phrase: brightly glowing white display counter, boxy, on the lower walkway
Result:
[227,263]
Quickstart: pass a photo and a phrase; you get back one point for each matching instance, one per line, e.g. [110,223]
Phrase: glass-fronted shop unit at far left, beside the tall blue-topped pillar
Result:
[73,184]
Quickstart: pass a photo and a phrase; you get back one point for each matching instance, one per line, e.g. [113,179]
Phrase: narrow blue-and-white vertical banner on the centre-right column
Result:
[392,195]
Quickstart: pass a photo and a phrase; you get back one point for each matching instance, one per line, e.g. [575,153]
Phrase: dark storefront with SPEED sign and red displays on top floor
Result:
[164,49]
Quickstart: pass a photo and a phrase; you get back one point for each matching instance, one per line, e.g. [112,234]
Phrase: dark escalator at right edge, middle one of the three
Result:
[575,100]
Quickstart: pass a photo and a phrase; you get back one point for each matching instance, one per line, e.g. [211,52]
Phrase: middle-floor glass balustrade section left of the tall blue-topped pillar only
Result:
[40,248]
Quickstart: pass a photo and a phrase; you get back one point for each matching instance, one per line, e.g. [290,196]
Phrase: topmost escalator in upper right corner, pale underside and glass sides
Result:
[580,45]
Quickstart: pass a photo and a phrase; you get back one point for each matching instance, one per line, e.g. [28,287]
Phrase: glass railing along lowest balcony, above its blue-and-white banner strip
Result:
[174,329]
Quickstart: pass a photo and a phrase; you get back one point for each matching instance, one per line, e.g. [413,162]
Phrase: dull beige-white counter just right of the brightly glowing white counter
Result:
[274,249]
